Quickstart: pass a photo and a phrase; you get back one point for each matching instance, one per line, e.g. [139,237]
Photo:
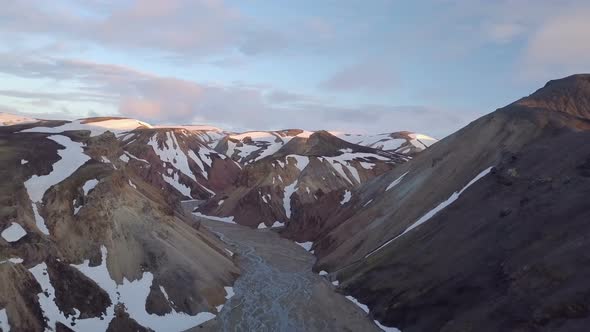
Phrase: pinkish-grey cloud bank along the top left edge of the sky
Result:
[183,27]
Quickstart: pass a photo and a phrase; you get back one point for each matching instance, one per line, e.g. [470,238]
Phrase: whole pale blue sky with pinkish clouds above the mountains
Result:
[359,66]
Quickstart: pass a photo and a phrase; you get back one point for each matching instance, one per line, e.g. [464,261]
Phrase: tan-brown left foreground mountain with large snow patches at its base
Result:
[88,243]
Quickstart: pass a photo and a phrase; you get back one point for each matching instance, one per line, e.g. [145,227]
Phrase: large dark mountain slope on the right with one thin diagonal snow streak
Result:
[485,230]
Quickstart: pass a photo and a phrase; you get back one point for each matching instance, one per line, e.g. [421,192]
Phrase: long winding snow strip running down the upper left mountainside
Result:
[72,157]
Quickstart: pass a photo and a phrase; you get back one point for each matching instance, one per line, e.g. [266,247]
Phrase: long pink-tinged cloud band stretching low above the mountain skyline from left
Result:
[159,99]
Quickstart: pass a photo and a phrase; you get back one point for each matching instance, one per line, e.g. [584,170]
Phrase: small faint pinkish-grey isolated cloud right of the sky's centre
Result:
[370,76]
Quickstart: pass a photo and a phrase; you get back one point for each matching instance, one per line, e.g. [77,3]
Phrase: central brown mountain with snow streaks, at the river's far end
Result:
[300,183]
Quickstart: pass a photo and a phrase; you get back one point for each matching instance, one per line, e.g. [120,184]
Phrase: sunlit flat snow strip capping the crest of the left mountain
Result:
[116,126]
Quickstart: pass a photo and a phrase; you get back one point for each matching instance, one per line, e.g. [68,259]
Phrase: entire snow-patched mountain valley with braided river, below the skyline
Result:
[116,224]
